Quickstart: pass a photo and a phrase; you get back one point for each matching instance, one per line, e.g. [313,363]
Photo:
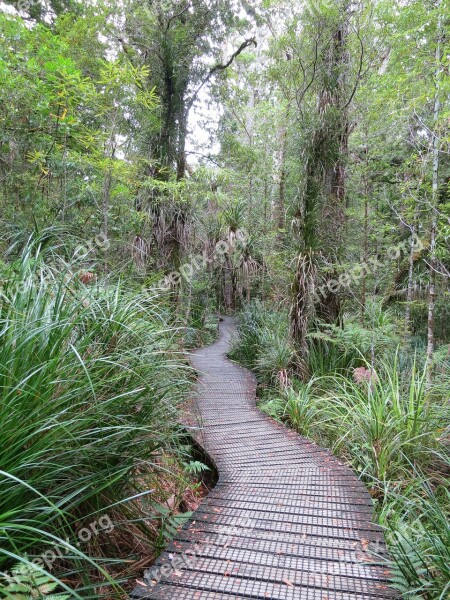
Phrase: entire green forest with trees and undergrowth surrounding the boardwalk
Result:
[164,162]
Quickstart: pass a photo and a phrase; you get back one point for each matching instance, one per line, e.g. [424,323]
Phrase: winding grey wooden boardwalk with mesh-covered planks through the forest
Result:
[286,519]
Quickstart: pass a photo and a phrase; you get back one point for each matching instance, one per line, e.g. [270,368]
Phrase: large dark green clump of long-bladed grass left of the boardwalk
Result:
[89,382]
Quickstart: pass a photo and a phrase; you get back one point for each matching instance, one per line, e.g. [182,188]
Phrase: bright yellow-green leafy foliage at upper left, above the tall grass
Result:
[61,121]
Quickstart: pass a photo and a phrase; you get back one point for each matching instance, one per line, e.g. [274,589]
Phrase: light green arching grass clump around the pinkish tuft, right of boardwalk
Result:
[383,426]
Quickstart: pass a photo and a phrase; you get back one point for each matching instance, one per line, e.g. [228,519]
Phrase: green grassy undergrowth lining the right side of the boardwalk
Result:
[389,427]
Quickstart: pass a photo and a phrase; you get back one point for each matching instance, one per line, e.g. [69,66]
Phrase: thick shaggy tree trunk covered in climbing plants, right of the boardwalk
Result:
[326,65]
